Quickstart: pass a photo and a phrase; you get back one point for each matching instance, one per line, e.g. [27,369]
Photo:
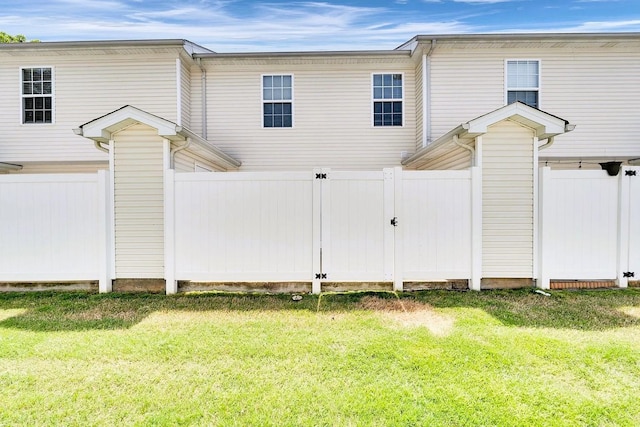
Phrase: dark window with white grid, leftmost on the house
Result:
[37,95]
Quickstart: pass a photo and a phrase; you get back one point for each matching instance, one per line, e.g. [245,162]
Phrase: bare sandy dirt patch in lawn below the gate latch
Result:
[409,314]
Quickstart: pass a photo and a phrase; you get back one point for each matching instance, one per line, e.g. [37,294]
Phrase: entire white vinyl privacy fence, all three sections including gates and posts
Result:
[321,227]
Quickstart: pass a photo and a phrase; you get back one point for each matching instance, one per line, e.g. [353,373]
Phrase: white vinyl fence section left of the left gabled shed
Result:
[54,228]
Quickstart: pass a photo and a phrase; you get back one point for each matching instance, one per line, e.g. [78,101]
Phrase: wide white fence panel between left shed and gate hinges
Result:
[244,227]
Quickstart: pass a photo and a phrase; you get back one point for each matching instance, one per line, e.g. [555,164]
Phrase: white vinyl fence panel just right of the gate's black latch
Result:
[436,223]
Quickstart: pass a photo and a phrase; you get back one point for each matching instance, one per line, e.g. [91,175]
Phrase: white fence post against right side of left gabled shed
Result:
[169,232]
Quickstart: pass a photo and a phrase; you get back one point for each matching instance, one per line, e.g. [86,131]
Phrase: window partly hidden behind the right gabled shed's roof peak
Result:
[523,82]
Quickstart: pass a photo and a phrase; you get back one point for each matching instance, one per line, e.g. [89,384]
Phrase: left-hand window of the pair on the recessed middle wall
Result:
[277,101]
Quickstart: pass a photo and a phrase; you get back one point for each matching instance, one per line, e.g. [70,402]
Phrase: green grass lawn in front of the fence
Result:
[434,358]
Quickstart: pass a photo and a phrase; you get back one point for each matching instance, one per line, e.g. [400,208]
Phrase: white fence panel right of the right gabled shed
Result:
[580,225]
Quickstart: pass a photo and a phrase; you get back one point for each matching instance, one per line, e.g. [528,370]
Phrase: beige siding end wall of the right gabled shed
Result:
[507,201]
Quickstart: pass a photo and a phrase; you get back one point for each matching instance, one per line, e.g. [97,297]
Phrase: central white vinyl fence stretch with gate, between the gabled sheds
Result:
[320,226]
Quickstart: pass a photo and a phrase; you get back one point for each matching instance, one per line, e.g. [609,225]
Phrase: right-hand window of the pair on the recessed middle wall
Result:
[387,99]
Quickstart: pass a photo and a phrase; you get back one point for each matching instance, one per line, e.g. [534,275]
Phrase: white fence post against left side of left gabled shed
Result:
[104,231]
